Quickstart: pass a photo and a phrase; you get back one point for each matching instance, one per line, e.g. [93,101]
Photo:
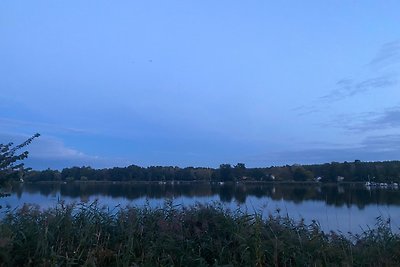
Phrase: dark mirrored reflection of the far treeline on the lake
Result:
[333,195]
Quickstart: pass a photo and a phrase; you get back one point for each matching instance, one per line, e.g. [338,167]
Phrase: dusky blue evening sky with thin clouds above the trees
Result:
[200,83]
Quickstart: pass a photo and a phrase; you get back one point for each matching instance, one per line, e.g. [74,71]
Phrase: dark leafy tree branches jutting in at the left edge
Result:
[10,160]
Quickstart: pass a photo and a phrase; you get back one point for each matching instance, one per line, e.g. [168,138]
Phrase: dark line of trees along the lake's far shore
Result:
[387,171]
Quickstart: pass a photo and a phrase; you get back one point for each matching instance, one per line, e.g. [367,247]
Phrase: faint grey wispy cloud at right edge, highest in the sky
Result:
[389,54]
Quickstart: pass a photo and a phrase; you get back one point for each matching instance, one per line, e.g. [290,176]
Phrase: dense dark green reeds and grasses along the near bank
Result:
[171,236]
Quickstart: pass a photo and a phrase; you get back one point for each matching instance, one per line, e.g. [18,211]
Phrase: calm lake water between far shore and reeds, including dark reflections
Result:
[344,207]
